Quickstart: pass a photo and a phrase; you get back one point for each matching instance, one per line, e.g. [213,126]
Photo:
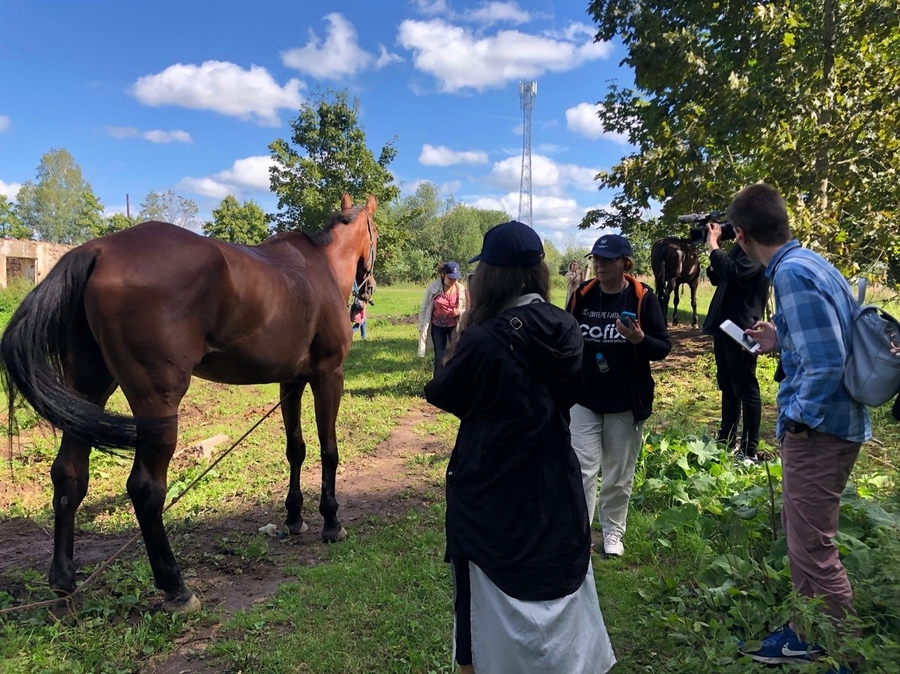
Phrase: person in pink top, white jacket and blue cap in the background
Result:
[444,302]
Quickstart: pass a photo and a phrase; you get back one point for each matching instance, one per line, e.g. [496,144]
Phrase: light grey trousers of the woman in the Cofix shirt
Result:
[607,444]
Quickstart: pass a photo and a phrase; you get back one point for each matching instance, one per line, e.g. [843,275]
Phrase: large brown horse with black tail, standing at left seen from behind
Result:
[144,309]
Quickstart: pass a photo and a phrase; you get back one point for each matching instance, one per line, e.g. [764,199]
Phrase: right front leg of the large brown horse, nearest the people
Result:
[327,389]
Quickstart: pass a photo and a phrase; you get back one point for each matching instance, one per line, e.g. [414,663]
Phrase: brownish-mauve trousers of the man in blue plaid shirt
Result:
[815,471]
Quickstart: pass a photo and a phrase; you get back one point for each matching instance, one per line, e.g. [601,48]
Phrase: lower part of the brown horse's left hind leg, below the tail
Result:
[69,474]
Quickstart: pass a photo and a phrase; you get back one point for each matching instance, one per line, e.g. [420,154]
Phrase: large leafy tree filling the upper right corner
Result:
[800,94]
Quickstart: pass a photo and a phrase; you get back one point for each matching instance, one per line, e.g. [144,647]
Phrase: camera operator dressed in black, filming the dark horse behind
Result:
[741,291]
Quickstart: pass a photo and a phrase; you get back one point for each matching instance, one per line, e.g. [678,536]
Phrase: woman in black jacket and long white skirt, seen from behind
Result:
[518,535]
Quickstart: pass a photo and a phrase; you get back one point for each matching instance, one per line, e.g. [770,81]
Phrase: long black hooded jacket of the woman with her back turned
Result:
[515,503]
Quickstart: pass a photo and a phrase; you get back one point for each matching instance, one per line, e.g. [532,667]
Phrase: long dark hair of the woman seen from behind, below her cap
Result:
[494,289]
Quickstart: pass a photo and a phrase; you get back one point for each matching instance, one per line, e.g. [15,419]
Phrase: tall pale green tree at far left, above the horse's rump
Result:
[59,205]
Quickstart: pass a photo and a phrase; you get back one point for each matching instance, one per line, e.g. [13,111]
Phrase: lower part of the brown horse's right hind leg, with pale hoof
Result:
[147,489]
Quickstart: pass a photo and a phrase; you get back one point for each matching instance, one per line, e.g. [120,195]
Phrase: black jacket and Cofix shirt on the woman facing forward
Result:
[627,383]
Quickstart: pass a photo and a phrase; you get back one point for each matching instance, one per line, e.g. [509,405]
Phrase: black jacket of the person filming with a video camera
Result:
[741,289]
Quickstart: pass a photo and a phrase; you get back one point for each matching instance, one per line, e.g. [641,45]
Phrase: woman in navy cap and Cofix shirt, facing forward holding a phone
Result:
[623,329]
